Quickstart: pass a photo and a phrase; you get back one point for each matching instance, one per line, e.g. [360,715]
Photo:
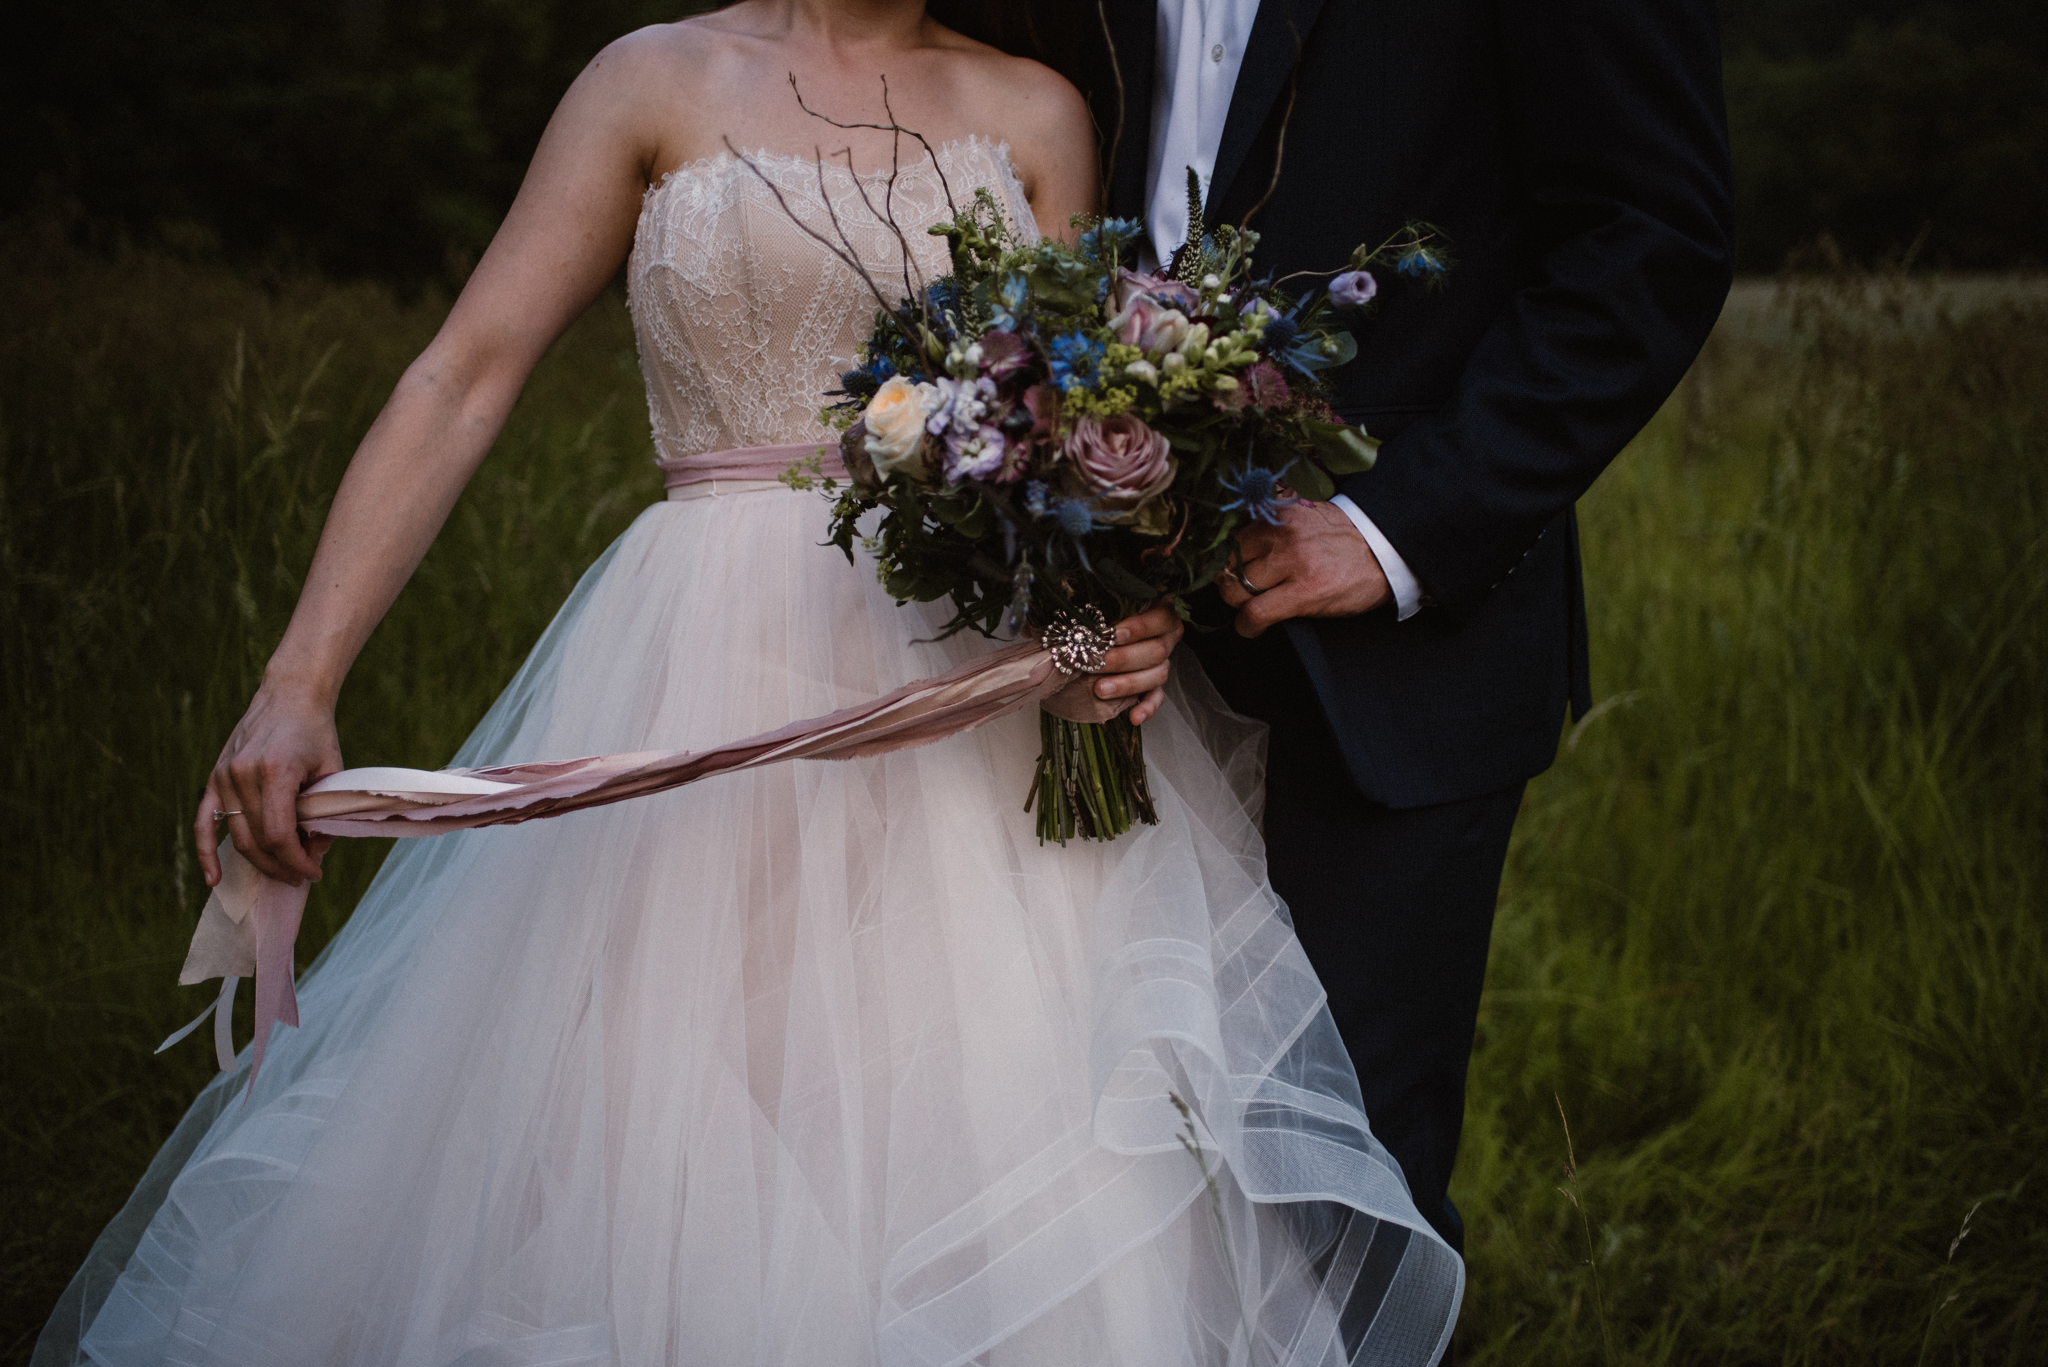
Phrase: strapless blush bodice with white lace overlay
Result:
[744,321]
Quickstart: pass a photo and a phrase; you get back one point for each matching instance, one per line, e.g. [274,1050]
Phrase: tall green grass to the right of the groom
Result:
[1775,927]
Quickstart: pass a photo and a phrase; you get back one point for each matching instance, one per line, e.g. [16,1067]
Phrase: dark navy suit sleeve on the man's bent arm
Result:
[1619,130]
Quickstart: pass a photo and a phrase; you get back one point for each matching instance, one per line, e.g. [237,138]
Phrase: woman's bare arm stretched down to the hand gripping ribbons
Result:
[564,239]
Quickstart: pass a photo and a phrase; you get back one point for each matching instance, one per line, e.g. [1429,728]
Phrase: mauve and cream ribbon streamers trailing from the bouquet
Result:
[251,921]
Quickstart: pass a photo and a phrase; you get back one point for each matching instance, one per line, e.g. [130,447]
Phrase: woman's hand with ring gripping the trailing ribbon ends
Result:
[284,743]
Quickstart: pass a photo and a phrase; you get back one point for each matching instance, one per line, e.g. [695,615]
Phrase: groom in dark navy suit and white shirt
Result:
[1416,645]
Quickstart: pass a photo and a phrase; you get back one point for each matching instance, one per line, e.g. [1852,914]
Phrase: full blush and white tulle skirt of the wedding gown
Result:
[810,1067]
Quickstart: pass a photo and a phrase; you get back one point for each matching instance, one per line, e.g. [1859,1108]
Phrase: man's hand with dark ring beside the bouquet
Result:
[1314,565]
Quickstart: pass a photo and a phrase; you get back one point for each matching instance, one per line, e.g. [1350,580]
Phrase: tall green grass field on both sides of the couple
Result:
[1773,929]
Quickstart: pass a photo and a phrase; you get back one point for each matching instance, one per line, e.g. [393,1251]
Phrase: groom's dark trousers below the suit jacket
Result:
[1394,905]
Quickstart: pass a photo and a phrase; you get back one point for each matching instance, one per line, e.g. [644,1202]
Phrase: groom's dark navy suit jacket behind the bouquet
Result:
[1576,155]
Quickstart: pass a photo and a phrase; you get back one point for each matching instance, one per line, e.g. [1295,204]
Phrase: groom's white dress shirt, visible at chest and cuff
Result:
[1199,52]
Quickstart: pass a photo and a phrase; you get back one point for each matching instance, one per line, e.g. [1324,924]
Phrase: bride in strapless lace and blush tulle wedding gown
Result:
[818,1065]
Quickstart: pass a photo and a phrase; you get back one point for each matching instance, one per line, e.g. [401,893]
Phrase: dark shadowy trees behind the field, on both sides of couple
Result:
[386,138]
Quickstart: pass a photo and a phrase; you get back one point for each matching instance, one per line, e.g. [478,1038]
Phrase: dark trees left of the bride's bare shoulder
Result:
[372,138]
